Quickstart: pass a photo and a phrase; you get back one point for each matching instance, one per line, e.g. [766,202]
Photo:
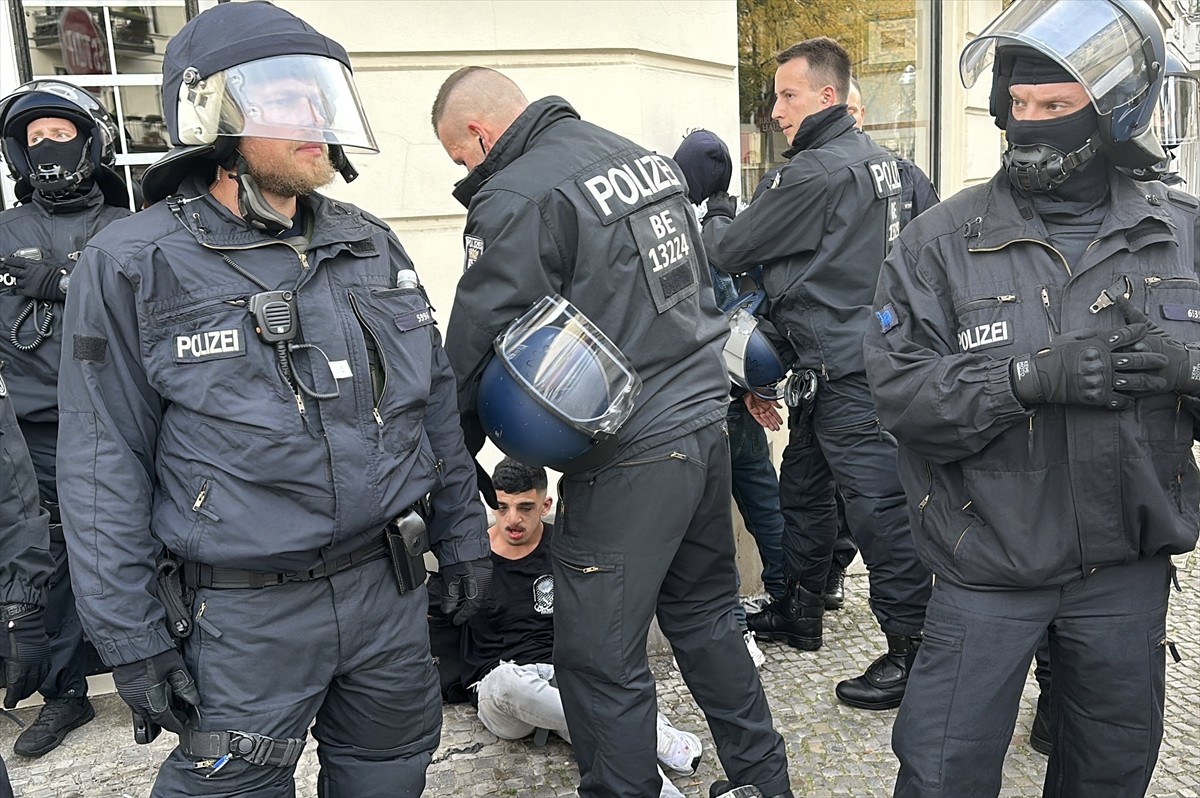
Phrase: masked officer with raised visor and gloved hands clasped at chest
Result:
[1034,352]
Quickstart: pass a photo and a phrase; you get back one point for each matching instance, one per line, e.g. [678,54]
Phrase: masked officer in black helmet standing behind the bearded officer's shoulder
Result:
[58,142]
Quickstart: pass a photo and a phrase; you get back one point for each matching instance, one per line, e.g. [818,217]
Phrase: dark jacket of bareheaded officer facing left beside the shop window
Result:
[820,230]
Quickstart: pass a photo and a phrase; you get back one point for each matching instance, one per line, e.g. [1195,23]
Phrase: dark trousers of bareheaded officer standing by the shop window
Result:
[847,447]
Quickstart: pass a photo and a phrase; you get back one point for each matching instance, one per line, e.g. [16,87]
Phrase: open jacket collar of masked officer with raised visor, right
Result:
[1004,217]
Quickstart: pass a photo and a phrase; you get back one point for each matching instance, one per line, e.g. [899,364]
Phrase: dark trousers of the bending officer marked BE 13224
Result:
[653,536]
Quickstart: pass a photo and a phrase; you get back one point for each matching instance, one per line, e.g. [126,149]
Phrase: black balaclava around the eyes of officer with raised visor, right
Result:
[1037,147]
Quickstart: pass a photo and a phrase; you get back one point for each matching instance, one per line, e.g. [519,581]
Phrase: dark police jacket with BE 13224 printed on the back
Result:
[565,207]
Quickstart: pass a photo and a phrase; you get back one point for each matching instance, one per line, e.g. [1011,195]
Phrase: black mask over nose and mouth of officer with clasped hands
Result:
[1045,155]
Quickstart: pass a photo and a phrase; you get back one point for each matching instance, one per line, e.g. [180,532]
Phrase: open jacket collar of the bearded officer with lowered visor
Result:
[217,226]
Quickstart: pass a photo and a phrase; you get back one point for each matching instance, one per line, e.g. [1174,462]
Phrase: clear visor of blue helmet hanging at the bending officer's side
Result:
[571,367]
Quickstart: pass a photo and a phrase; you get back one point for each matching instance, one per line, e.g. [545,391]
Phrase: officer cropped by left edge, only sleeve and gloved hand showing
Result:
[26,569]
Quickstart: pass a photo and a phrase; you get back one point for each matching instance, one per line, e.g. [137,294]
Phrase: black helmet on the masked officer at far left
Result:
[41,99]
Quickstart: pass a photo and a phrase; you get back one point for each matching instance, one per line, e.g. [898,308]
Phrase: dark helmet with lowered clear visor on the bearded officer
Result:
[217,71]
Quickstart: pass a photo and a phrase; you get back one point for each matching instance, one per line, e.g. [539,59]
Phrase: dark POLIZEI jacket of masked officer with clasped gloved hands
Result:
[1007,497]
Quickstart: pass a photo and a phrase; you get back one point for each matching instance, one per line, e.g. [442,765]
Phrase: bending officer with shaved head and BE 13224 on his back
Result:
[560,207]
